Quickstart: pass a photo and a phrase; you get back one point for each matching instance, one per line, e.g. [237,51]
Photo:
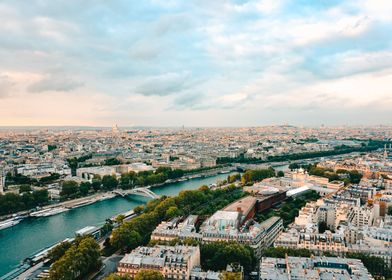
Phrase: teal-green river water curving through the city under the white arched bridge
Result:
[34,234]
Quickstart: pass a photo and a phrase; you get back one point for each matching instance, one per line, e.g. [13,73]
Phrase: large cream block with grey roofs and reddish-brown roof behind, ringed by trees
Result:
[233,223]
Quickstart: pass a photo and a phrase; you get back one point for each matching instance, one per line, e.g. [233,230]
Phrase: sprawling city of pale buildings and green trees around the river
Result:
[287,197]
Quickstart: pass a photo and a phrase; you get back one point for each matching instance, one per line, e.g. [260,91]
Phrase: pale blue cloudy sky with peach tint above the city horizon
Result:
[195,62]
